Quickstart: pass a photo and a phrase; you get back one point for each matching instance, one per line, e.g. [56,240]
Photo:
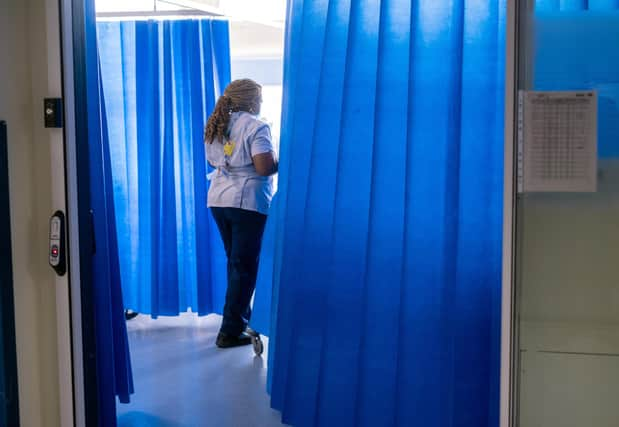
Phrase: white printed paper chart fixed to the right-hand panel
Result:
[557,141]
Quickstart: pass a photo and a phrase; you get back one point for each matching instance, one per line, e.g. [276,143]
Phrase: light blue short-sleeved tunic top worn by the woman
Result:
[235,182]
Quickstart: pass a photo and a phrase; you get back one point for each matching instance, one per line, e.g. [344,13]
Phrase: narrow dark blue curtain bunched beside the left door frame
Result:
[114,377]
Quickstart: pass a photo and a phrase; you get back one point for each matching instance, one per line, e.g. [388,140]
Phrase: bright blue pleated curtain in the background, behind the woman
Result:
[161,80]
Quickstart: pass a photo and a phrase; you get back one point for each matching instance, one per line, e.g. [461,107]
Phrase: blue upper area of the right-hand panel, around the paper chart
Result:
[580,51]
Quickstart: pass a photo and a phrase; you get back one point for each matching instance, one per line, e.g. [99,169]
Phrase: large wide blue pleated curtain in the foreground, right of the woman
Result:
[386,272]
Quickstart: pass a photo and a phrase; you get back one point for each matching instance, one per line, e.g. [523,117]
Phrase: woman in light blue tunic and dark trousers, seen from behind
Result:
[238,146]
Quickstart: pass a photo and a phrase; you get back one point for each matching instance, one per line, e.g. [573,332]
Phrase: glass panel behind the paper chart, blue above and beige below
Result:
[568,243]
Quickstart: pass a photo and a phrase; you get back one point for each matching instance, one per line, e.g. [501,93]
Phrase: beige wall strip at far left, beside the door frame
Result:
[24,81]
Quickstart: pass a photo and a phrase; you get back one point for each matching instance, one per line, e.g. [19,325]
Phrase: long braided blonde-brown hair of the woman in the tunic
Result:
[240,95]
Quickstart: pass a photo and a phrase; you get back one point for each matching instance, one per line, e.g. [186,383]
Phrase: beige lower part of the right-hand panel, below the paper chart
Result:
[569,284]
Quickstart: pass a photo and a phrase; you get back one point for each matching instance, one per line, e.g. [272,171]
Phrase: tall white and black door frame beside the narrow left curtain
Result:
[80,234]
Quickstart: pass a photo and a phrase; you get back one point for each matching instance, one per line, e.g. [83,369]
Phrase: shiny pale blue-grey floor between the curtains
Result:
[183,380]
